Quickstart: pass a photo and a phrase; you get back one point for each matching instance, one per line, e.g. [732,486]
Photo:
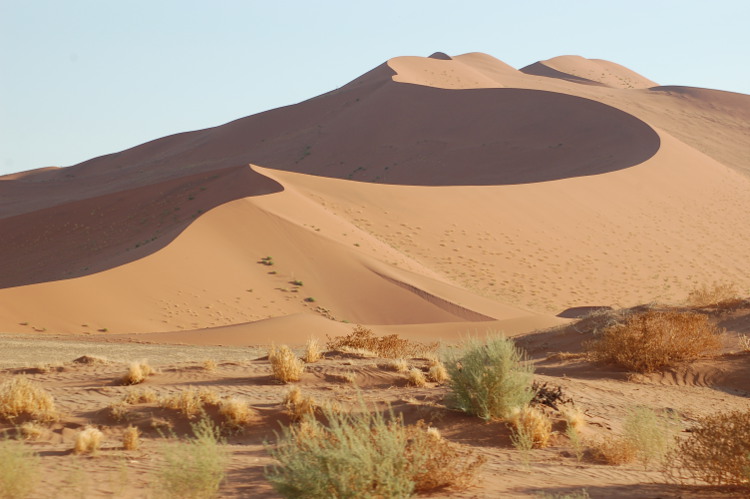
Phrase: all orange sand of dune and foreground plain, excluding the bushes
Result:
[433,198]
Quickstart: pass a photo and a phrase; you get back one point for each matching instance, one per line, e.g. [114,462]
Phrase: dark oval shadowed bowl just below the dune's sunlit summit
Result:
[415,135]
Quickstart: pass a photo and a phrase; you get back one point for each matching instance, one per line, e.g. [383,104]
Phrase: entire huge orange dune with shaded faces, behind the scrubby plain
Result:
[442,191]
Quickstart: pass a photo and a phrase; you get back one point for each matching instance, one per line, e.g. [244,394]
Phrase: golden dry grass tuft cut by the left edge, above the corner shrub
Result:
[20,397]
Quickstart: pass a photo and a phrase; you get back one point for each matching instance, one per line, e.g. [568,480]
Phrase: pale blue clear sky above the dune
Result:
[79,79]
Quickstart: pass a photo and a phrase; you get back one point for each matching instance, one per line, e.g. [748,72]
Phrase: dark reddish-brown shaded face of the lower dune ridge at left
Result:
[89,235]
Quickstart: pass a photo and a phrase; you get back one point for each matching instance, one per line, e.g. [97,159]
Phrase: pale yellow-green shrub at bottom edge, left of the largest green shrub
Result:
[193,468]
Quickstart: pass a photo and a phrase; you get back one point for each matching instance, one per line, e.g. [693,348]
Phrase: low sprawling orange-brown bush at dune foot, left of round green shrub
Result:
[390,347]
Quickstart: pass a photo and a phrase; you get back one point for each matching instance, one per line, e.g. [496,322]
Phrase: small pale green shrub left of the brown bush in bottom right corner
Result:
[650,434]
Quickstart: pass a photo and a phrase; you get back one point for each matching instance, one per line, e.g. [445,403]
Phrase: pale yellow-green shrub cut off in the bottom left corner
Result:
[19,470]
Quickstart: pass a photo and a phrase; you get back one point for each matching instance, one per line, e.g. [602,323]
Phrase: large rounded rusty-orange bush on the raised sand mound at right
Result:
[655,340]
